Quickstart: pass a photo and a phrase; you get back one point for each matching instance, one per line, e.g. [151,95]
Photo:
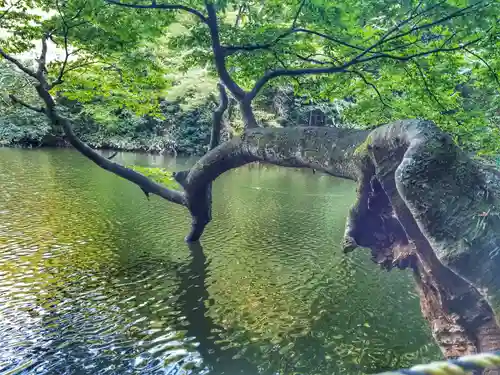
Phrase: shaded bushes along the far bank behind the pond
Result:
[182,126]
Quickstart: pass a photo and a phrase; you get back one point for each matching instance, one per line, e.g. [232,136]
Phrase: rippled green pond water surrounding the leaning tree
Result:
[97,279]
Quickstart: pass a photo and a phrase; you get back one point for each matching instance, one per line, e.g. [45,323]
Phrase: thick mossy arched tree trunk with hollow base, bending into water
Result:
[422,205]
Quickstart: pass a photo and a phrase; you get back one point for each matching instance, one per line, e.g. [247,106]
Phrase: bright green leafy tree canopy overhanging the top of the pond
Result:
[386,60]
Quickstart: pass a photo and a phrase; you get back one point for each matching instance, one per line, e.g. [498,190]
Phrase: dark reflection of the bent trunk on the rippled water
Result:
[191,303]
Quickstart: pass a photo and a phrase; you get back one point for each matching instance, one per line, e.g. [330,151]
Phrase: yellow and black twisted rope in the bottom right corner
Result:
[460,366]
